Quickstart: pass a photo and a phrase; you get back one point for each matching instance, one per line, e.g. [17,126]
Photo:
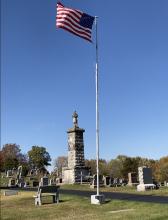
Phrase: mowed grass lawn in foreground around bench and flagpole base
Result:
[73,207]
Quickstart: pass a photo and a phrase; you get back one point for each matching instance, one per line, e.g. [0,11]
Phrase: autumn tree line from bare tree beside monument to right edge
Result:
[121,166]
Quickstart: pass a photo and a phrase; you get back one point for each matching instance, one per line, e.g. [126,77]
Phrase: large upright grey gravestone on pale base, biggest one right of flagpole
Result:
[145,179]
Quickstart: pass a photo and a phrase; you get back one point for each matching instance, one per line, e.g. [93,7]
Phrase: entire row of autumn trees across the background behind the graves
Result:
[38,158]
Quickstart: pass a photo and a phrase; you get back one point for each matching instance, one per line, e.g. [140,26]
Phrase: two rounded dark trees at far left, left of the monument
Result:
[11,157]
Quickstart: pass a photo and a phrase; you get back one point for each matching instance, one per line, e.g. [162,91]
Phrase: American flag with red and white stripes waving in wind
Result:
[74,21]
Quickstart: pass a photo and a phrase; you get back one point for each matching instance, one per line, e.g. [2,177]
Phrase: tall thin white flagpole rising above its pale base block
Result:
[97,109]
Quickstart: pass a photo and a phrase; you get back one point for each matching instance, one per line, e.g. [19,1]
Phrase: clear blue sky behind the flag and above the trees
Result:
[47,73]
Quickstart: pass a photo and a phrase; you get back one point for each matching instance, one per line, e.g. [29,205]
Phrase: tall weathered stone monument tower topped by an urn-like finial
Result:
[76,161]
